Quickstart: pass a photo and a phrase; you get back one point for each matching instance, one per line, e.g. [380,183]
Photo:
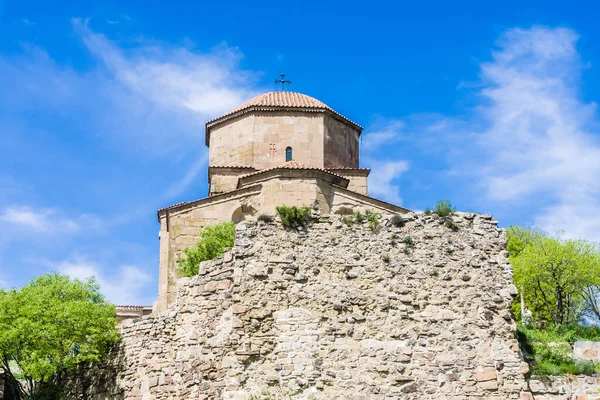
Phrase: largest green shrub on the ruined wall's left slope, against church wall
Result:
[213,241]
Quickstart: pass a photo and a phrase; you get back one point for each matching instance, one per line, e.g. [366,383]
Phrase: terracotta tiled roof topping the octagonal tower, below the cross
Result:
[277,100]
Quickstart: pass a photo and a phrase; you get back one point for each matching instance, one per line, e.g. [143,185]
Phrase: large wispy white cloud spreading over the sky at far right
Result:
[531,140]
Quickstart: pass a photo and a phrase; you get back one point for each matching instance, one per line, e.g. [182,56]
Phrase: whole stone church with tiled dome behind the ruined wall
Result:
[279,148]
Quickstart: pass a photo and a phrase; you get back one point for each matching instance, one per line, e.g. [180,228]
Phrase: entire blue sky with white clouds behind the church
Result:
[102,113]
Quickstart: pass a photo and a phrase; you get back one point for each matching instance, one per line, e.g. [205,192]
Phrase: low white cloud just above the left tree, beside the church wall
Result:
[128,286]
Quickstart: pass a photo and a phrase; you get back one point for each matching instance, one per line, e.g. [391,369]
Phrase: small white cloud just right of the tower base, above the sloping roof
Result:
[382,180]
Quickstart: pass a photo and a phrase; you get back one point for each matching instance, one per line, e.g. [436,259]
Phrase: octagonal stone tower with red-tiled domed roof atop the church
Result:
[278,127]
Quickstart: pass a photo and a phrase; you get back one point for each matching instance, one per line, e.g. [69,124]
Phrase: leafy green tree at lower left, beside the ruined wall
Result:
[51,327]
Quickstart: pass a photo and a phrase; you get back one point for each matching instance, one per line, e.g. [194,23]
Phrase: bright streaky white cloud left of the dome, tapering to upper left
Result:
[205,84]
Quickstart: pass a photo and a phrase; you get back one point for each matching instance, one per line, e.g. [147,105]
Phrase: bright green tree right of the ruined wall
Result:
[559,278]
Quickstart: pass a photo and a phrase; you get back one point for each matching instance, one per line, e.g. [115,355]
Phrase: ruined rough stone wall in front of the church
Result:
[337,312]
